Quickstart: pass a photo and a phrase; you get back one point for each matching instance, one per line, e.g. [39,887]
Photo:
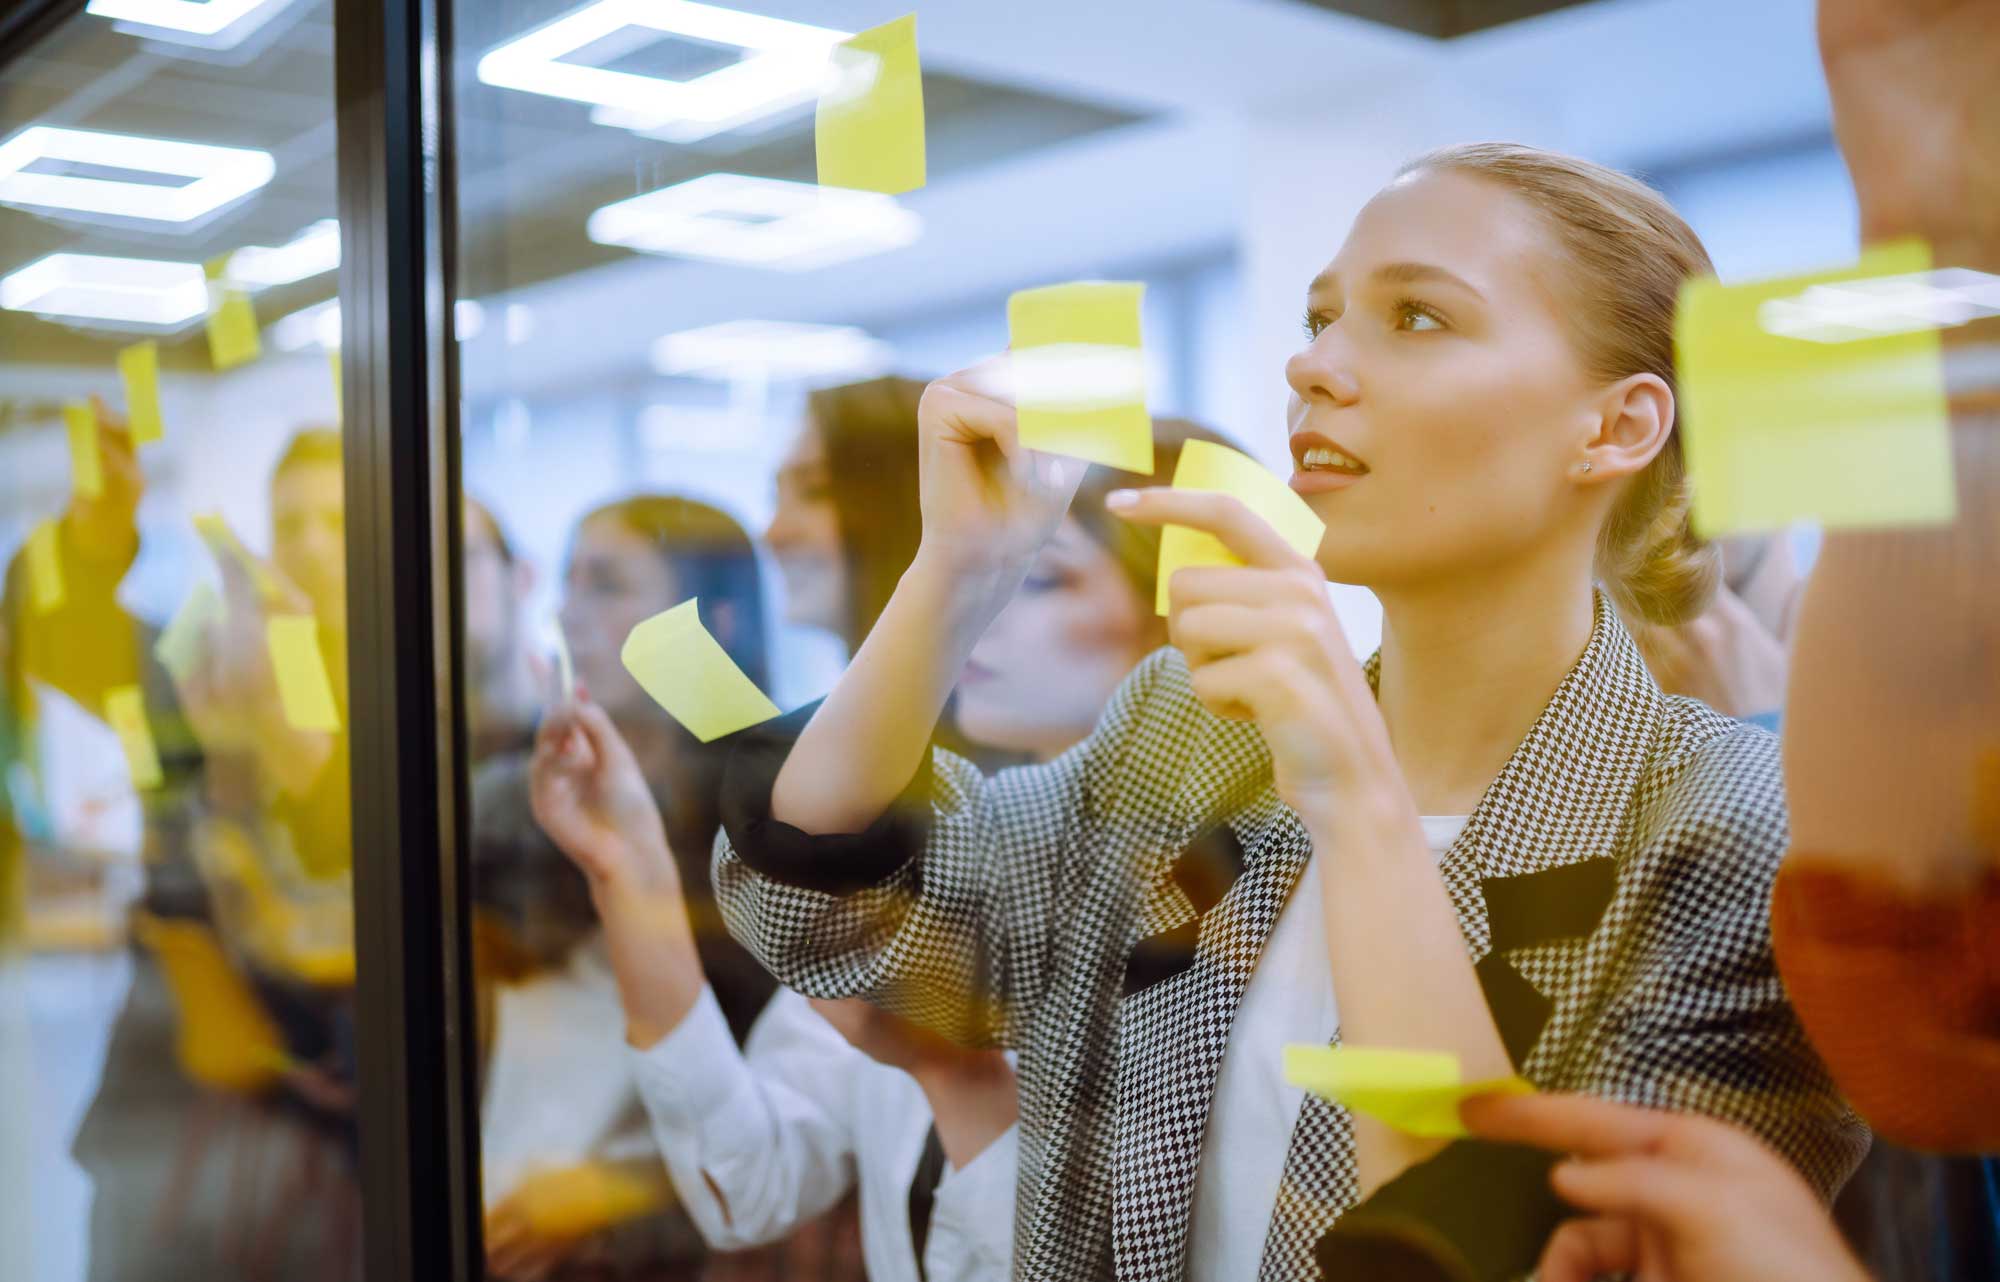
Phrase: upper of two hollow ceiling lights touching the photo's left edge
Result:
[215,175]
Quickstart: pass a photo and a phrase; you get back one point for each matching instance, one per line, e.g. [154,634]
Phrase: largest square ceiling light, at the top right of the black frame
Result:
[781,69]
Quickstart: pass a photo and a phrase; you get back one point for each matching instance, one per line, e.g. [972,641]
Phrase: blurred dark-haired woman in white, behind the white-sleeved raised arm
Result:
[571,1179]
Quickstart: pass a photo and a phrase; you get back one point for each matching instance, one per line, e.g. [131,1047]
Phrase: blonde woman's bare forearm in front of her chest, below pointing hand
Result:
[1393,935]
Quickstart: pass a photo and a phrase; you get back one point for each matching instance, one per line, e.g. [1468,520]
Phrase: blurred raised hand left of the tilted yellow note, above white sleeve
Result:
[593,801]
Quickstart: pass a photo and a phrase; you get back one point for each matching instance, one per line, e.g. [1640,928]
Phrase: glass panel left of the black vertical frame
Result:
[177,933]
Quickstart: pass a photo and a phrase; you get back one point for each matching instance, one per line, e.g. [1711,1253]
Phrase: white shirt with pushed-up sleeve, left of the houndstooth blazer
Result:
[785,1127]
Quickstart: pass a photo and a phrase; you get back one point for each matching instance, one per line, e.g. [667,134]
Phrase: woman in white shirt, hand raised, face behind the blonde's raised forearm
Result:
[841,1095]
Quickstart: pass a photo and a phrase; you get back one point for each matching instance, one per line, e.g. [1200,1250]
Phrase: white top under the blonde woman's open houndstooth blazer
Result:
[1289,999]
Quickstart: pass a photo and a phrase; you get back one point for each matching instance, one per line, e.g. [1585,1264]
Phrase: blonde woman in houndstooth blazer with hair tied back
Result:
[1497,839]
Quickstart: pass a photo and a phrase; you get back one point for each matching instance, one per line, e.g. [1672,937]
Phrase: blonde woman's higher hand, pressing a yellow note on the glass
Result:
[989,501]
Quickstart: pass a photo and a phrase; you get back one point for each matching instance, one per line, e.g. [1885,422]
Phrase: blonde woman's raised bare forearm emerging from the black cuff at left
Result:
[873,731]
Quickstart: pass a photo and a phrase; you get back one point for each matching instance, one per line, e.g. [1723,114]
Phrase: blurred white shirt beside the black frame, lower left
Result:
[557,1091]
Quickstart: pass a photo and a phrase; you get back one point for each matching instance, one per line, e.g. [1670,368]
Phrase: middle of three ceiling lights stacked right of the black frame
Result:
[761,223]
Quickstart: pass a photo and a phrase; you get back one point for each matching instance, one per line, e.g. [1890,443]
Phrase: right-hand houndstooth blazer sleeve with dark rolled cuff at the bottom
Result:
[1685,1013]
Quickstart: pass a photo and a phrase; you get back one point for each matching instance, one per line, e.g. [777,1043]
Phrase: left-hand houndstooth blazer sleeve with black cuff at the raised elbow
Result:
[943,909]
